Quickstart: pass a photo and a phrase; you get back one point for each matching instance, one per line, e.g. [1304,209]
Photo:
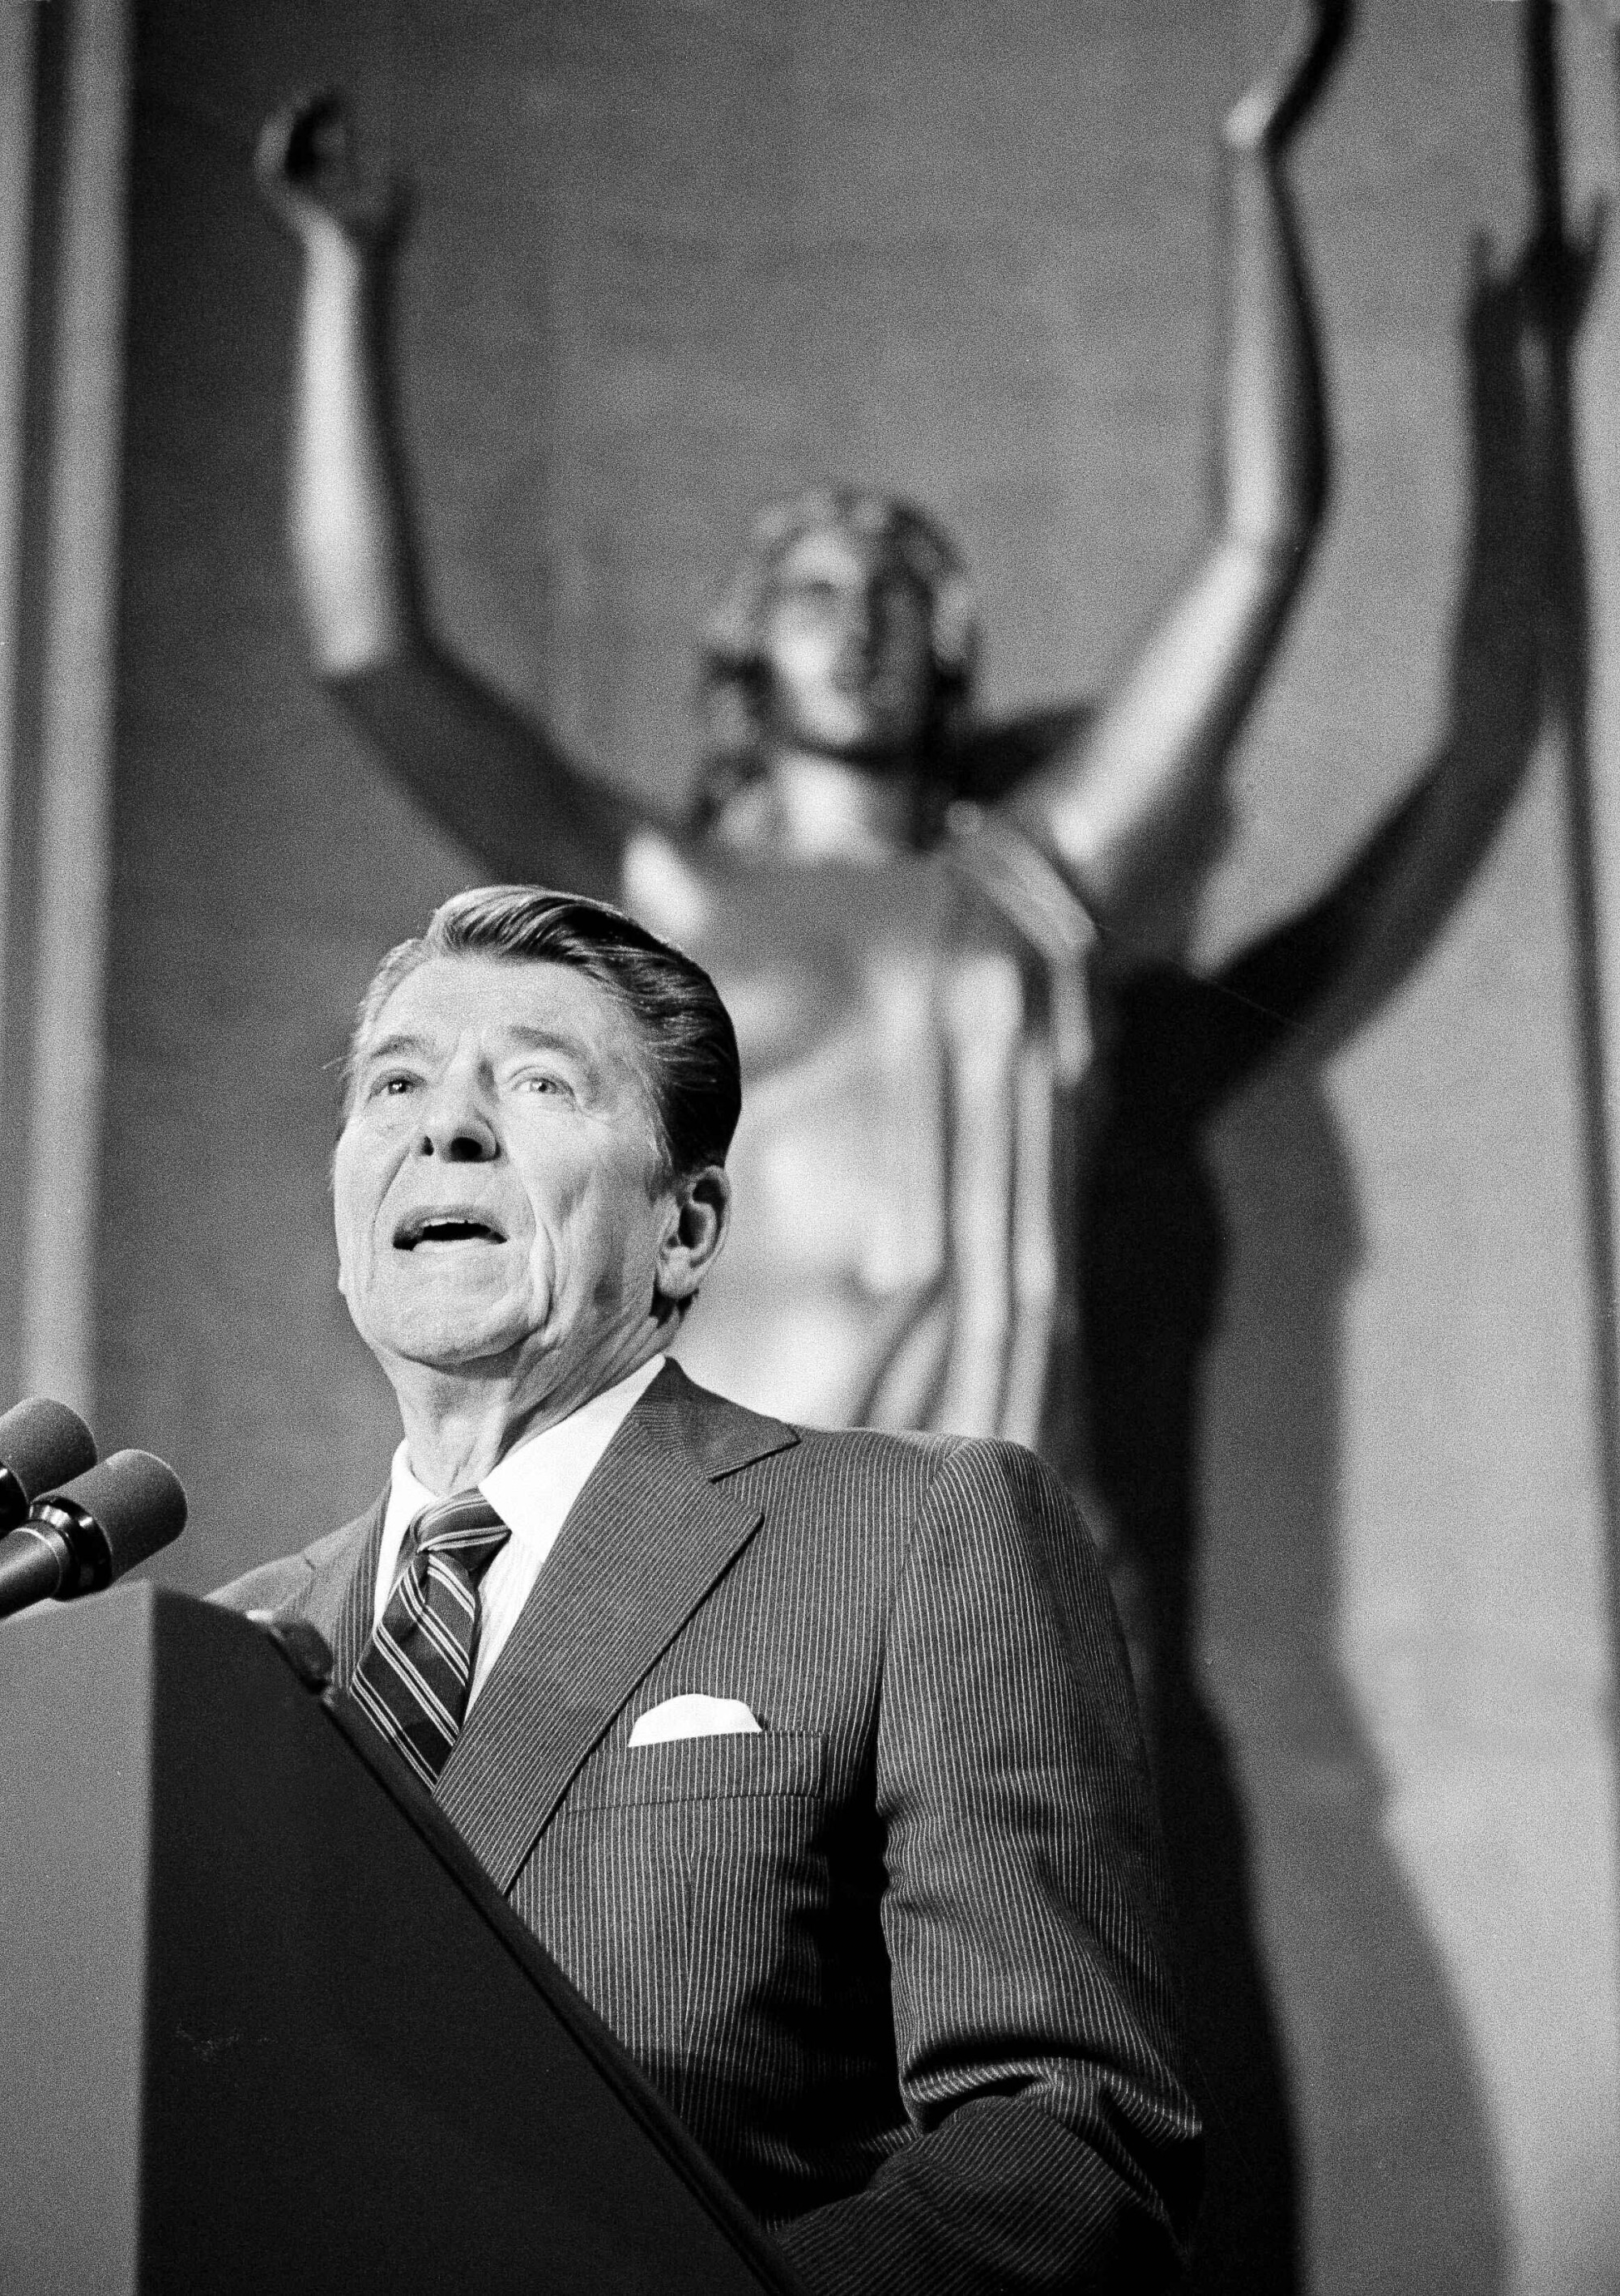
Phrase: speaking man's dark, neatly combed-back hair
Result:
[688,1044]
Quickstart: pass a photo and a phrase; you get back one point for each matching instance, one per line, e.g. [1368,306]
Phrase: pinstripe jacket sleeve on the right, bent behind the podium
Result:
[1035,2015]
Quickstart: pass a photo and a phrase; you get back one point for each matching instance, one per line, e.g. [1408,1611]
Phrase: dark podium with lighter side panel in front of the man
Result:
[268,2029]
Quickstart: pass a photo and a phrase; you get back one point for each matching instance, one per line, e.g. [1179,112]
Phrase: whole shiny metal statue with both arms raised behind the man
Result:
[902,943]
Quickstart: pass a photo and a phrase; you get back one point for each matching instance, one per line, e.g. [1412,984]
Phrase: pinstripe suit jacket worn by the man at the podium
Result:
[900,1960]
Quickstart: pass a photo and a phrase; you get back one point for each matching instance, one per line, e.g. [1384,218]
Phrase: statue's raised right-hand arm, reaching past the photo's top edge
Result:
[1125,802]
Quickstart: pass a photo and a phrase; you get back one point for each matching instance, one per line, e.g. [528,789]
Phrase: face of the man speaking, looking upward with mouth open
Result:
[495,1181]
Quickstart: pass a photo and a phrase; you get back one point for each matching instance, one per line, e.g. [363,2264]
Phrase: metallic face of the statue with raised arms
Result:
[847,651]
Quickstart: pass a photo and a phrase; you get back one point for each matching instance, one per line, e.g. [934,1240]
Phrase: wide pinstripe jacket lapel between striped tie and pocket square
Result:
[645,1544]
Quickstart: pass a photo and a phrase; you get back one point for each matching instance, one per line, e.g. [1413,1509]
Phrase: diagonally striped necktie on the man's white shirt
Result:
[417,1670]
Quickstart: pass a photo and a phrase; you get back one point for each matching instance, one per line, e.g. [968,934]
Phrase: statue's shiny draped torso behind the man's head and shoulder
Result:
[913,1034]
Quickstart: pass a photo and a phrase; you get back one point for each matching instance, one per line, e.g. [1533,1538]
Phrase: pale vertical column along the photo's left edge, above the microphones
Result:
[63,134]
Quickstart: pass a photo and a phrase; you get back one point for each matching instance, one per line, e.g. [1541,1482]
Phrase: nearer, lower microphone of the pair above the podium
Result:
[84,1537]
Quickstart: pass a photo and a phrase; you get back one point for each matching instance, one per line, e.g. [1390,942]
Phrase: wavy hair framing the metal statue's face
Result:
[734,667]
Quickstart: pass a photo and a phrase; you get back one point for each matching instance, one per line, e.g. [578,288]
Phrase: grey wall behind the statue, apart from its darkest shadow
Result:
[672,258]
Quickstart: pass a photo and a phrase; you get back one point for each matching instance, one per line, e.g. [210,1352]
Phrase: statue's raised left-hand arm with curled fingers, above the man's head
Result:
[479,766]
